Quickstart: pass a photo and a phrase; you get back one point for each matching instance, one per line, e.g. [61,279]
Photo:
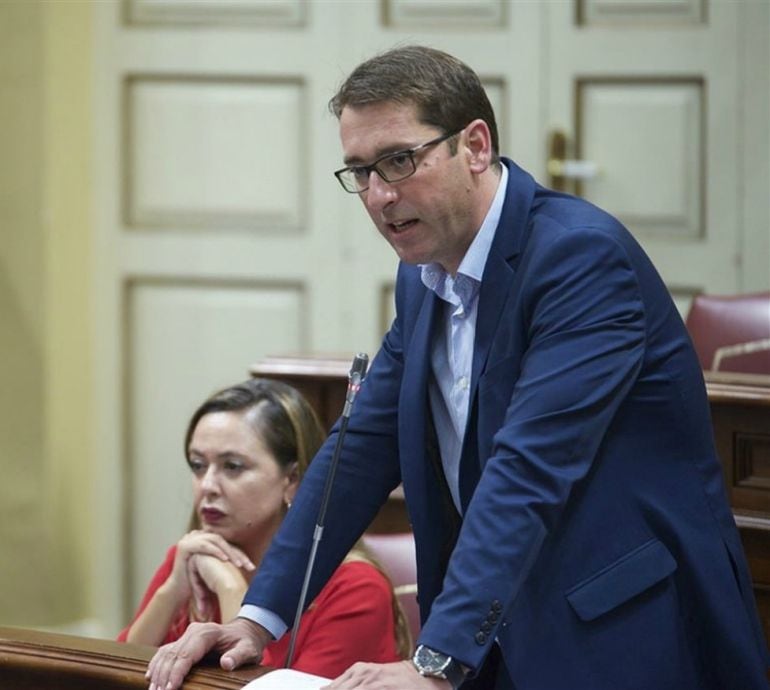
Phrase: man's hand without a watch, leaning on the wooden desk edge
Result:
[241,641]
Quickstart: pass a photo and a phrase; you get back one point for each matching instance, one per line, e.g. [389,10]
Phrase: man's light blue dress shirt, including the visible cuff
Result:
[451,359]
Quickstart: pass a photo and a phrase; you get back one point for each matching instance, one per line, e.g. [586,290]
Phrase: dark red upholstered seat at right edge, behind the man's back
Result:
[732,333]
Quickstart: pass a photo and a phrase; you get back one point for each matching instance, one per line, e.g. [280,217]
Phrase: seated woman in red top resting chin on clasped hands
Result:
[247,447]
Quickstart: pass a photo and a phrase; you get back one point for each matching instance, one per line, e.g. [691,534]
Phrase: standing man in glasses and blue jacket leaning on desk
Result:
[539,398]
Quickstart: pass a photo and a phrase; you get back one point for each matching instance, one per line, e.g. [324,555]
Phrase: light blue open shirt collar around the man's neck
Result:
[468,278]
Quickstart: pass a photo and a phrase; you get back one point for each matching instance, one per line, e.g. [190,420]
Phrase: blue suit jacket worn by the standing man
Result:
[597,546]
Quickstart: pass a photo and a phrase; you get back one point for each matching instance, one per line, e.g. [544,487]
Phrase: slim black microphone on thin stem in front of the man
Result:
[355,379]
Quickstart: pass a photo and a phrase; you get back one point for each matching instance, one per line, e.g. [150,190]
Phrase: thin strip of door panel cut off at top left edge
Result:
[216,12]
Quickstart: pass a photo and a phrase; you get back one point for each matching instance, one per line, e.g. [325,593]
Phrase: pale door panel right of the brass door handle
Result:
[646,136]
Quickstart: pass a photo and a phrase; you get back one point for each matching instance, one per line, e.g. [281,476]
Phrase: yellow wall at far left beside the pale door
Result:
[45,391]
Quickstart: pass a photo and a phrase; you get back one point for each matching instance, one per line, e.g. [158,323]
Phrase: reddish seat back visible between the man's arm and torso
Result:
[395,552]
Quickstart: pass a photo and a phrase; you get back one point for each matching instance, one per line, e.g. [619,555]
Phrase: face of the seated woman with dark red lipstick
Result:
[239,489]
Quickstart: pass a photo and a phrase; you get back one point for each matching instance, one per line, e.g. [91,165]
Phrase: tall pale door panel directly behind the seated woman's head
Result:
[187,340]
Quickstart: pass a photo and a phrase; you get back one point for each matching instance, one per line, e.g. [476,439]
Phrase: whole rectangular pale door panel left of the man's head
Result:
[205,152]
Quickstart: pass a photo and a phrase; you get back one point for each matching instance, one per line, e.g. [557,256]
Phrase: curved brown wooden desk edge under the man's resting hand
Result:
[32,660]
